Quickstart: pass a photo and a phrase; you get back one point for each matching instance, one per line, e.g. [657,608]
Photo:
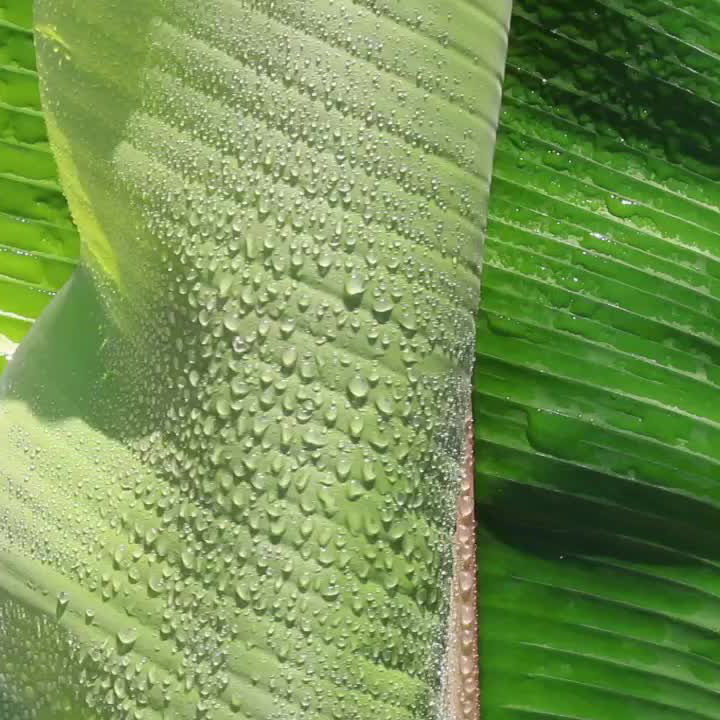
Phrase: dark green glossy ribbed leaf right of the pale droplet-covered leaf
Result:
[598,368]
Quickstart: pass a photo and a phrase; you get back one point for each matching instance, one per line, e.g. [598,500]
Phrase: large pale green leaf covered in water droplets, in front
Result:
[234,438]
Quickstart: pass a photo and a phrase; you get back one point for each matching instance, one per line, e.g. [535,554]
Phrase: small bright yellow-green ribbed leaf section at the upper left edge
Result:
[38,243]
